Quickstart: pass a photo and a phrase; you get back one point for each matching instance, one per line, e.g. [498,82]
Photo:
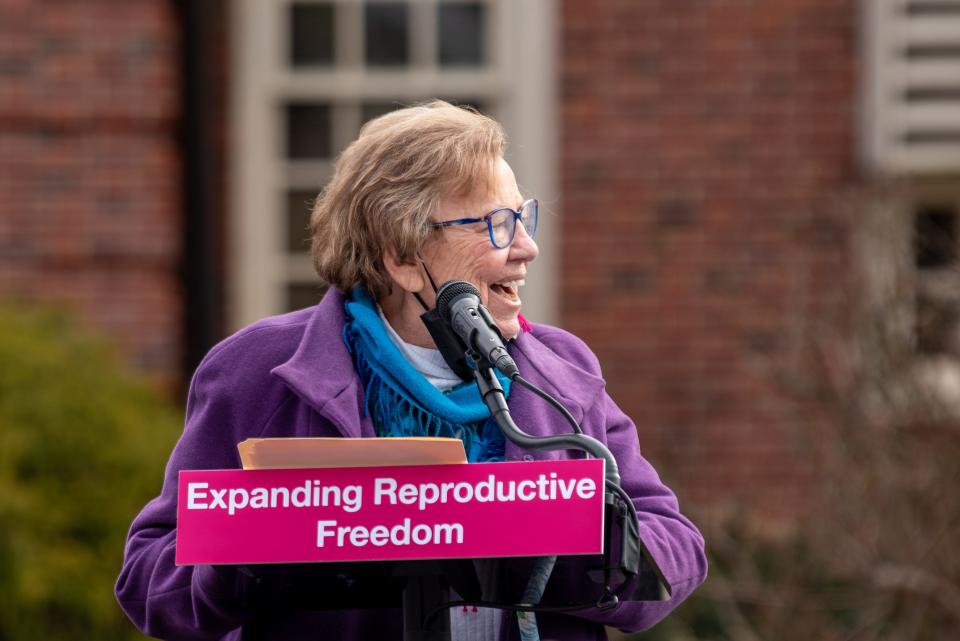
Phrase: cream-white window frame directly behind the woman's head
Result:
[522,46]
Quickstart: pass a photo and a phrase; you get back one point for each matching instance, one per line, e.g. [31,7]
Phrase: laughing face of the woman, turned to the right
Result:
[464,252]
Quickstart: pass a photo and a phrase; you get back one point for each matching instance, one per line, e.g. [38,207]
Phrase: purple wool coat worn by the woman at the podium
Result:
[291,375]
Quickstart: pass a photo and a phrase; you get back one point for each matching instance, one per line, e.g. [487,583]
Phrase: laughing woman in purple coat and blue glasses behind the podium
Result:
[421,197]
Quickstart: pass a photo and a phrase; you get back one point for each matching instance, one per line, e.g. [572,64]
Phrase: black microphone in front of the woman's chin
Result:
[459,305]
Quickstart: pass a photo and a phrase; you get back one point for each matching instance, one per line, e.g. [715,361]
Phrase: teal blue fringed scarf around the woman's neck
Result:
[402,402]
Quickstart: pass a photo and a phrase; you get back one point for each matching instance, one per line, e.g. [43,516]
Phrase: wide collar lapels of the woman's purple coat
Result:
[321,371]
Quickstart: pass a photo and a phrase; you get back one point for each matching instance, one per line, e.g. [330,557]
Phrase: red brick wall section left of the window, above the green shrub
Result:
[89,168]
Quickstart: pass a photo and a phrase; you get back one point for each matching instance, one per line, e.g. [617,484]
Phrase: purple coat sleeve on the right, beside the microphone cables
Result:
[675,543]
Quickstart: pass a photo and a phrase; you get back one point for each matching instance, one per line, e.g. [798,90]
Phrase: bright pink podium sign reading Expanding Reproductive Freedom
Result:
[390,513]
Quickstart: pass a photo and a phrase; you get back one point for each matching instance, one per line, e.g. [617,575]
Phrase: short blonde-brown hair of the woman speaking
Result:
[388,183]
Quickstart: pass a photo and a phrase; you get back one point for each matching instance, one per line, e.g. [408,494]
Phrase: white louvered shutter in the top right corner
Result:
[913,85]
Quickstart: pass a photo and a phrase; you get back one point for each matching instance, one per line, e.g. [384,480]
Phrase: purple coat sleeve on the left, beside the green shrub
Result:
[182,602]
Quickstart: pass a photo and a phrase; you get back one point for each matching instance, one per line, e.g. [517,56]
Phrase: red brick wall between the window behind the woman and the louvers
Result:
[703,146]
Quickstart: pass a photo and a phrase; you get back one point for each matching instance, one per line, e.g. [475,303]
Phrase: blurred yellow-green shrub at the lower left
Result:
[82,448]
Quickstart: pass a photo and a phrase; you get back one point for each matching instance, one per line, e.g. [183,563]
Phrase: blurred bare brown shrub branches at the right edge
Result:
[877,557]
